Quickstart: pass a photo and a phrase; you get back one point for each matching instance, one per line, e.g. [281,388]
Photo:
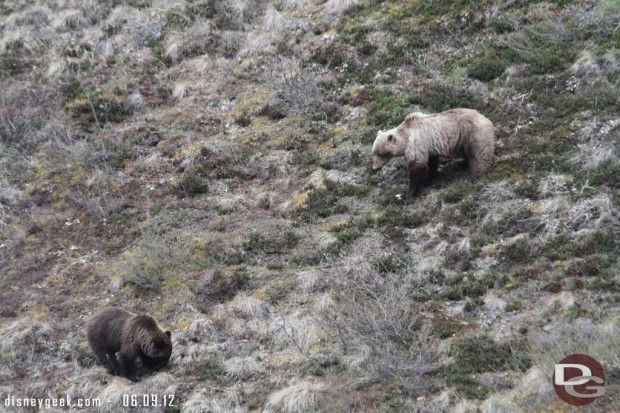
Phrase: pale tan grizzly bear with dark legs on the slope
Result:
[423,139]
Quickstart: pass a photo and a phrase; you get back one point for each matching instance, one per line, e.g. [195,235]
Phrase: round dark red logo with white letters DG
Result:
[579,379]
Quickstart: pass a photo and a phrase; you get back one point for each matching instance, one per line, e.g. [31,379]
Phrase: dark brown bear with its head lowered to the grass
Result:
[118,337]
